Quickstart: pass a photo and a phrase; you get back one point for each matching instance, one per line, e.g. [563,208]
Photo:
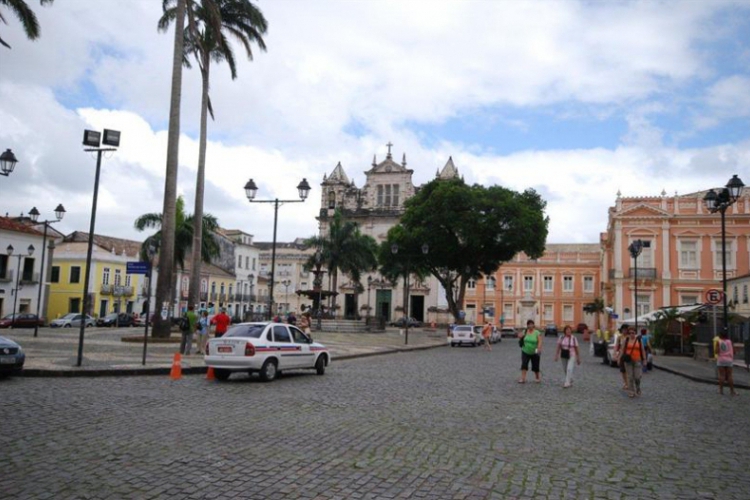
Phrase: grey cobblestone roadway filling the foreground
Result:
[436,424]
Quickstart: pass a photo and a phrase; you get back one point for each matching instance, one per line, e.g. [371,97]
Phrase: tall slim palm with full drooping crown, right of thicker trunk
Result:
[206,39]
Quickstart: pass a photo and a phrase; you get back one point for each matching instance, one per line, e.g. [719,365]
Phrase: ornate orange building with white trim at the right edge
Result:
[683,257]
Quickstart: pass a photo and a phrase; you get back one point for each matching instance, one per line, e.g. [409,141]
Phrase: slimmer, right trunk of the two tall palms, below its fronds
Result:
[195,262]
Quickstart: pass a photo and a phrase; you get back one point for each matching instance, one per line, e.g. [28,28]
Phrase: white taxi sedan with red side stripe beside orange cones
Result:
[265,348]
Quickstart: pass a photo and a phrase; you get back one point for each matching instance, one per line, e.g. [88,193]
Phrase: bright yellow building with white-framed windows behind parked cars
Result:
[111,289]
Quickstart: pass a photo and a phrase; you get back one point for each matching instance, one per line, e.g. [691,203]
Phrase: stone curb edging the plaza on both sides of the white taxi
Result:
[193,370]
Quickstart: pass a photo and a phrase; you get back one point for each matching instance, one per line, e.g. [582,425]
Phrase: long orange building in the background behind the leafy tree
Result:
[550,290]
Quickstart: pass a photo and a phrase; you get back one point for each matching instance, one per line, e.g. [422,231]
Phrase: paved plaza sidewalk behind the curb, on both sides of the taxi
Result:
[54,352]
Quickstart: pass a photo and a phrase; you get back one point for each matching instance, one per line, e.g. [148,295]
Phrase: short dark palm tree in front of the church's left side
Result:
[344,249]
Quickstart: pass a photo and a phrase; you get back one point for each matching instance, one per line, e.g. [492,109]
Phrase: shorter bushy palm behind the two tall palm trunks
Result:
[182,237]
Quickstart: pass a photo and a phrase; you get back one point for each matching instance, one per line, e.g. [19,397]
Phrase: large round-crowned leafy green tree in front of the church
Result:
[470,231]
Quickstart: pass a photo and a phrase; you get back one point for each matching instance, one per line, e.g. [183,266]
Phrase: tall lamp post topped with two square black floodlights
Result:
[93,140]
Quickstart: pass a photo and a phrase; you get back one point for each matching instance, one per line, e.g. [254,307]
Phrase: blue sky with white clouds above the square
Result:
[578,100]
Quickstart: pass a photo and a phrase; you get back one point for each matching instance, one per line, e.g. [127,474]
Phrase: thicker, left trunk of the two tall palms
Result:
[165,280]
